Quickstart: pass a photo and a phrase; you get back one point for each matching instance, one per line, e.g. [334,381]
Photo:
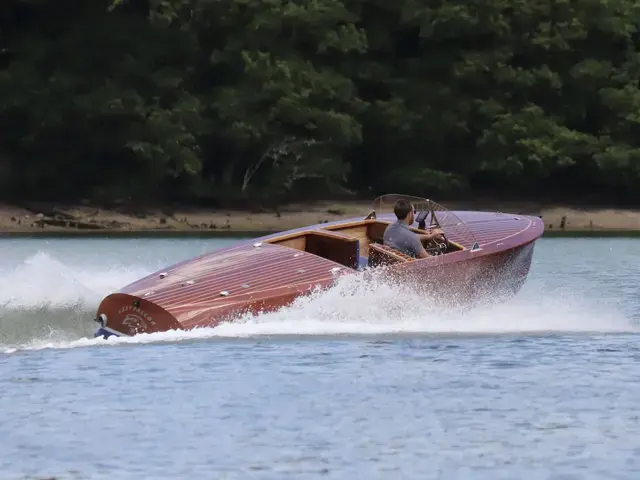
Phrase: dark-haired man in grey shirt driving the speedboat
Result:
[398,235]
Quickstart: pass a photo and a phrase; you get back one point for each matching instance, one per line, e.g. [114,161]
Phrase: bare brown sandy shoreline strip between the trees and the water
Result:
[86,220]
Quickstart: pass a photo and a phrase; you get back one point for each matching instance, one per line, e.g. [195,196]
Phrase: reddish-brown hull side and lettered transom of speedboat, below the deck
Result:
[488,278]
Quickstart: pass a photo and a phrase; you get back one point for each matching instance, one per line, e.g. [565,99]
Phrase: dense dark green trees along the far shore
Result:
[203,100]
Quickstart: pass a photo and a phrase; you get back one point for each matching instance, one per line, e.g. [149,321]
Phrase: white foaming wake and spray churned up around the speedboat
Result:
[46,304]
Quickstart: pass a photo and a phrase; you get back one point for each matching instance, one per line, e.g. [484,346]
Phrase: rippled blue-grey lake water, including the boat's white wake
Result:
[354,383]
